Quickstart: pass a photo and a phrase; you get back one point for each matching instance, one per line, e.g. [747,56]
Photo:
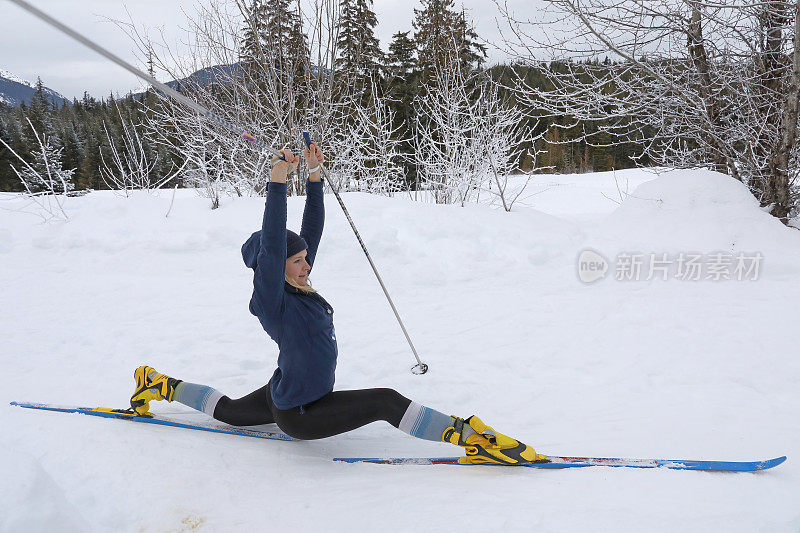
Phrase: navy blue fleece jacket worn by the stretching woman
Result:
[301,323]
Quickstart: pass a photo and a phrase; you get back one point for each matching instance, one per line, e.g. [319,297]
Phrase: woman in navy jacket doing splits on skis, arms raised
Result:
[299,397]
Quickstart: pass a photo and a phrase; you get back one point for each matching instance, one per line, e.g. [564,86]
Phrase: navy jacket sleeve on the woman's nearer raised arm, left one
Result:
[269,276]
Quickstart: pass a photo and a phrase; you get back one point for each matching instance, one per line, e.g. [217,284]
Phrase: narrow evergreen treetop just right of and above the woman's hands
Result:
[359,53]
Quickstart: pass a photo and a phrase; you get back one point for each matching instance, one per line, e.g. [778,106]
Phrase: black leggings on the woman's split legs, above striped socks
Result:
[334,413]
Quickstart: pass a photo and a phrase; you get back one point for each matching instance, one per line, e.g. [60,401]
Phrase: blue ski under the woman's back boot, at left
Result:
[120,414]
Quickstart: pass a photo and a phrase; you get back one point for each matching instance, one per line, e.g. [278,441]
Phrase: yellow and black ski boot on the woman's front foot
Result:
[488,447]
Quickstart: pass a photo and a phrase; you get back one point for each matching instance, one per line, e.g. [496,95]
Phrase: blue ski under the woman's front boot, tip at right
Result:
[573,462]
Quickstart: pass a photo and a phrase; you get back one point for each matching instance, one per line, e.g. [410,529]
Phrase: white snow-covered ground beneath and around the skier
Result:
[650,368]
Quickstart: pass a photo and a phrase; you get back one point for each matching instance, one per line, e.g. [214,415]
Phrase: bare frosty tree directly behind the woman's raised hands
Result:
[270,92]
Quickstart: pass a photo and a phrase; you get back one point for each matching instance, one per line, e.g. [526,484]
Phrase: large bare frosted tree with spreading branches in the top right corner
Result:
[695,83]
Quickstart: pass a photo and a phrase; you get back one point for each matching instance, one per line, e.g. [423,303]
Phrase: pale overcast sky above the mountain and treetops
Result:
[30,48]
